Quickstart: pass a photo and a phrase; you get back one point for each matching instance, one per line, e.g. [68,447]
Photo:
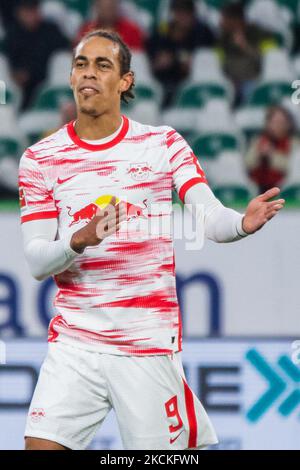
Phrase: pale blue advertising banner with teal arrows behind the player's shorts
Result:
[250,389]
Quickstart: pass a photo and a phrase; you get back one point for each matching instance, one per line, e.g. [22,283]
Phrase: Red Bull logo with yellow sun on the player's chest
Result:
[88,212]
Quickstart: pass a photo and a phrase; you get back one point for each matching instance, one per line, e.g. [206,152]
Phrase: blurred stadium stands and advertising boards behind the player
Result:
[224,74]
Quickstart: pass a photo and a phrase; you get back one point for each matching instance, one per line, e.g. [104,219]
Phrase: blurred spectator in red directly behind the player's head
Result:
[108,15]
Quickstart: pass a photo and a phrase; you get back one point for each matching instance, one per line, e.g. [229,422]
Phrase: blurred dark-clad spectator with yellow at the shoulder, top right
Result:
[242,45]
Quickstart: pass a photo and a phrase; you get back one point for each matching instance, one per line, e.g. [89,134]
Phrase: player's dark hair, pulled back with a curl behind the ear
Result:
[124,57]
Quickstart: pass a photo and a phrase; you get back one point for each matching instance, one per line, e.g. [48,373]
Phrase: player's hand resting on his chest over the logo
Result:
[106,222]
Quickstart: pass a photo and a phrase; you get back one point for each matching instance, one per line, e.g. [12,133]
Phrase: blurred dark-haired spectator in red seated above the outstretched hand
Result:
[269,155]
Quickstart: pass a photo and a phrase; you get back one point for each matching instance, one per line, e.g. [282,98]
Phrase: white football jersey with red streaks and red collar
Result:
[120,297]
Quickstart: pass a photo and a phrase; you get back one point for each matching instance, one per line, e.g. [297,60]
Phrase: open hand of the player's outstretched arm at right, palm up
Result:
[260,210]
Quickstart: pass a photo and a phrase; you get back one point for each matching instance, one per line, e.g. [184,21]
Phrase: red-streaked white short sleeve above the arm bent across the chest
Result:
[36,200]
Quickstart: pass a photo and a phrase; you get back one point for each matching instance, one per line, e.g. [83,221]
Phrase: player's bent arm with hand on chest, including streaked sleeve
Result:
[45,255]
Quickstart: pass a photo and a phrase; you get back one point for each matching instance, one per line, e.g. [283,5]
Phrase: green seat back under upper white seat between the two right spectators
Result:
[197,95]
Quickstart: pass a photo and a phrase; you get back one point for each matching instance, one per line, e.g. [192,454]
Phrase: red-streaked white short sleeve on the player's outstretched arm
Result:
[185,167]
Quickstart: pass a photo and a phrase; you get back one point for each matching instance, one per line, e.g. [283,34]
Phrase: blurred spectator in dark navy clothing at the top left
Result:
[28,44]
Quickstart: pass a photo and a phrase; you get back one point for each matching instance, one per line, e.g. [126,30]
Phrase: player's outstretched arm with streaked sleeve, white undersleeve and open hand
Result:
[221,224]
